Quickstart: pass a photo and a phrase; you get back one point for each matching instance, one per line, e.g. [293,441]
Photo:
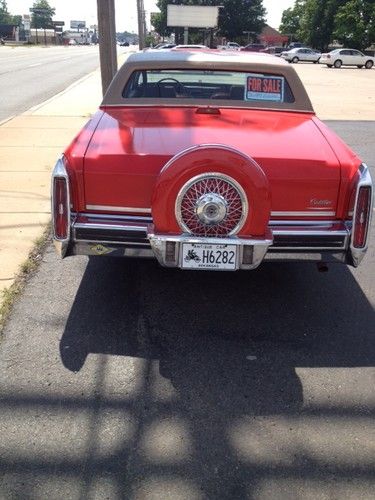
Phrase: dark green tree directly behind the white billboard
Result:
[235,17]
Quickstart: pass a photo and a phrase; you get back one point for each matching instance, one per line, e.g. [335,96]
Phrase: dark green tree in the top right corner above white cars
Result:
[354,24]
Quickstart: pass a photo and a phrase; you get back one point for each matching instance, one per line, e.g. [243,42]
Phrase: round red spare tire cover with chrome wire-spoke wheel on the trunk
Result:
[211,191]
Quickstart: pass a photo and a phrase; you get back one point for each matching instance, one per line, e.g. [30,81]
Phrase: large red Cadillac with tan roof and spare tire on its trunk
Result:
[210,160]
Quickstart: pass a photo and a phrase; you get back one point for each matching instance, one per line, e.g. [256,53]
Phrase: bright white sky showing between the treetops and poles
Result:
[126,12]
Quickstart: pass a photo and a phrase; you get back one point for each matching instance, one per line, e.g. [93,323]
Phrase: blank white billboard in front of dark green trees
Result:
[188,16]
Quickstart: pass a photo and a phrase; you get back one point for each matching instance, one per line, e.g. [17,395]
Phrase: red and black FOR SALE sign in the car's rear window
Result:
[264,88]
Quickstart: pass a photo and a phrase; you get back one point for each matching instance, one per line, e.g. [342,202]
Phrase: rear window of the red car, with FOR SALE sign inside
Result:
[208,84]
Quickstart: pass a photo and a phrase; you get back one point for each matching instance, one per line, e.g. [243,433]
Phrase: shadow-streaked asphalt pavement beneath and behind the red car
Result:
[124,380]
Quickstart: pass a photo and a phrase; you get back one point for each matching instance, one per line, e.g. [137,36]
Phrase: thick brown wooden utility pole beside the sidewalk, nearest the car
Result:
[107,41]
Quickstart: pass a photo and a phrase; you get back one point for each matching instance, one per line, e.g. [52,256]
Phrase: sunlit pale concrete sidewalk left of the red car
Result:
[29,147]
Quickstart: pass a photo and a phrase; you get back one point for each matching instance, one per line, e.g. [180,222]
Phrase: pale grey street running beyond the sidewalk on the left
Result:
[30,75]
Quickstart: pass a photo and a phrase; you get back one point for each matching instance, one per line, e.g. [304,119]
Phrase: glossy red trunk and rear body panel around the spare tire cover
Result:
[130,146]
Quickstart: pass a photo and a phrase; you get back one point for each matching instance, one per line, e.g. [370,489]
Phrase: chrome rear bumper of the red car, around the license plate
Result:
[130,236]
